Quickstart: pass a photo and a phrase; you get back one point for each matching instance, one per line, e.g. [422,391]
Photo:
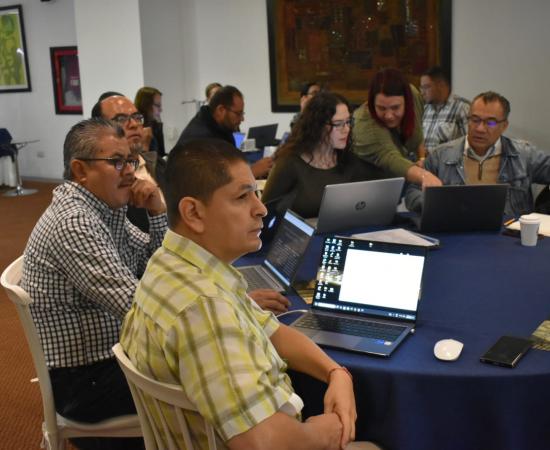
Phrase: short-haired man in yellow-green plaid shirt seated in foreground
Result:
[192,323]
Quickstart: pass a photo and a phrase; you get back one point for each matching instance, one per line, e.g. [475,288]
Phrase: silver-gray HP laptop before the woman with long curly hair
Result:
[358,204]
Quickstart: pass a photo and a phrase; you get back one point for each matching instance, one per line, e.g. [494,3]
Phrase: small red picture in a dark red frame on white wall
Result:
[66,80]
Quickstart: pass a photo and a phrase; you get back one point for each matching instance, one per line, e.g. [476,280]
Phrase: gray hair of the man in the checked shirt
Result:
[81,140]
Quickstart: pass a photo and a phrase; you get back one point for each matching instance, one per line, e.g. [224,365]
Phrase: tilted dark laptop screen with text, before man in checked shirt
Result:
[288,247]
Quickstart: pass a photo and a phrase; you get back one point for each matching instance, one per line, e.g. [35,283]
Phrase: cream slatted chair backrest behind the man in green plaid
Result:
[147,394]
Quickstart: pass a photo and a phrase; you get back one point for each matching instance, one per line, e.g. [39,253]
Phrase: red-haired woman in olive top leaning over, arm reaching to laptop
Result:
[388,128]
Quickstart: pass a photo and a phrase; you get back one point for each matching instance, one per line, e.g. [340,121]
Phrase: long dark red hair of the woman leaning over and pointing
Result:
[392,83]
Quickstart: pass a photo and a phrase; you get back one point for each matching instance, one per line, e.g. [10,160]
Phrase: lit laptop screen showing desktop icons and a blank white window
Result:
[369,278]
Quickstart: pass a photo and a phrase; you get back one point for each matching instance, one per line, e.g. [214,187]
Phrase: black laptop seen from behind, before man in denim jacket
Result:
[477,207]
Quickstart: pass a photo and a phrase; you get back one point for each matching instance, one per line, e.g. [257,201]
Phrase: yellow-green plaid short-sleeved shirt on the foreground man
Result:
[192,324]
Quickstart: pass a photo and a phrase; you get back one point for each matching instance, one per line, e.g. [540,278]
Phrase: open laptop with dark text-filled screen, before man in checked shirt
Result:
[283,258]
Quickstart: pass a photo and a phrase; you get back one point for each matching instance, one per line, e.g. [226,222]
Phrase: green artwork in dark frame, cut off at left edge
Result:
[14,66]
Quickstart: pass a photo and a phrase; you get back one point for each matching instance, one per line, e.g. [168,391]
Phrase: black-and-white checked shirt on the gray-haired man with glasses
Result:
[81,267]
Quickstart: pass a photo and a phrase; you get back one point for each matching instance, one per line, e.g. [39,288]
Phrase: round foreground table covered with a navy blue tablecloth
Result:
[477,287]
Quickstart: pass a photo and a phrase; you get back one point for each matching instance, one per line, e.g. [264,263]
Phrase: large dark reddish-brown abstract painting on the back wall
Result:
[341,44]
